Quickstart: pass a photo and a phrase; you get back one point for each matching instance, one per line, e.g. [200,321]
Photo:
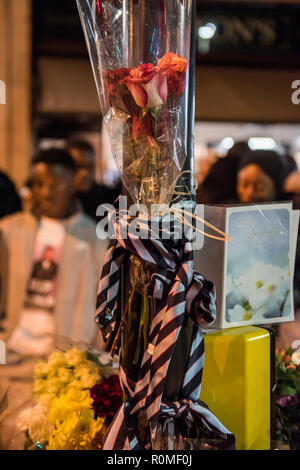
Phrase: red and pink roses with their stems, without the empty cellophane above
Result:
[149,97]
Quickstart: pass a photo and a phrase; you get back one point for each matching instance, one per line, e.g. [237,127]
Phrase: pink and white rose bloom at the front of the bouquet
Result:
[147,85]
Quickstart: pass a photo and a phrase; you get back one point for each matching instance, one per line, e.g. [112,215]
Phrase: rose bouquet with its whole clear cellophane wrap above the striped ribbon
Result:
[139,52]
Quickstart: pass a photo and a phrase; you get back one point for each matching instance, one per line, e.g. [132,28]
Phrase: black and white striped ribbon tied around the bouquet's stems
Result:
[179,292]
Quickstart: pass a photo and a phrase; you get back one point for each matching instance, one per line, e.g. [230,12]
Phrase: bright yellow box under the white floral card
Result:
[236,383]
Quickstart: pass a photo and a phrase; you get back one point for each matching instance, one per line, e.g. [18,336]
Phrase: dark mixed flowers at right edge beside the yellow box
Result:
[288,397]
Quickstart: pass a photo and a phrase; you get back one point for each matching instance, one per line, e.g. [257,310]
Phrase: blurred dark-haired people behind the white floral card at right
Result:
[246,176]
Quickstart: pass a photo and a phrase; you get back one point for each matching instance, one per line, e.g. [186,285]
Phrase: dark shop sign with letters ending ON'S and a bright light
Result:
[248,34]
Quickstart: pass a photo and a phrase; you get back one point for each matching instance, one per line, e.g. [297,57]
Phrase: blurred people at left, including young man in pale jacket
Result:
[50,256]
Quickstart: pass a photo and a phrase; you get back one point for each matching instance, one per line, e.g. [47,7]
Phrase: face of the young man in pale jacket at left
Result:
[52,190]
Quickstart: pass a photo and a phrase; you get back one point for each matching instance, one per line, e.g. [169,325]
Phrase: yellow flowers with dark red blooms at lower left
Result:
[71,412]
